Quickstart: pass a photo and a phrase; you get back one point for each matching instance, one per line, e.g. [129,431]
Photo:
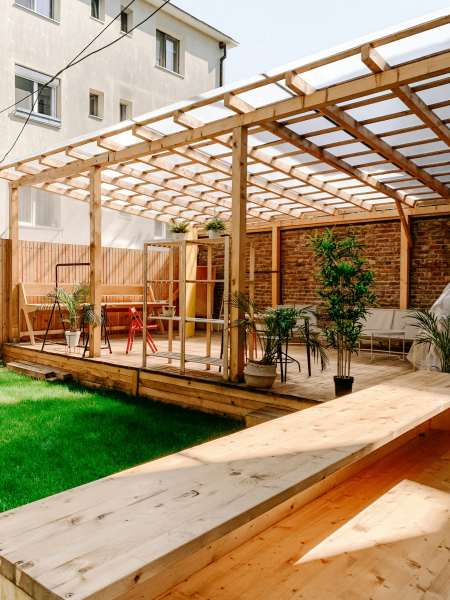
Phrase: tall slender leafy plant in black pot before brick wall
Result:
[346,291]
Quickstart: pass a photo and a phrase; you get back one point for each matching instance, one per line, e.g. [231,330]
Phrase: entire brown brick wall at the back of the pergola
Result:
[430,261]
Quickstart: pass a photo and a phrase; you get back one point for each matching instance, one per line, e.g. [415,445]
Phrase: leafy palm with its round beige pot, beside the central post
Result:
[271,328]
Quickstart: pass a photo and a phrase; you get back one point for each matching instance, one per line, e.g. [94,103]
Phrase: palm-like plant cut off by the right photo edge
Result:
[434,333]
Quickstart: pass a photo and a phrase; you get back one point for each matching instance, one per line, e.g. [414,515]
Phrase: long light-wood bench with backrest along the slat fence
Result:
[117,298]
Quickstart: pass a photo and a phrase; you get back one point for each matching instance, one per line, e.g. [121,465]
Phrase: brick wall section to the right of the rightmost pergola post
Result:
[430,260]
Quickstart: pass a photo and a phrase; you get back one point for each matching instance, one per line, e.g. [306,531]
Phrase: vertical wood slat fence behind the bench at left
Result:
[121,266]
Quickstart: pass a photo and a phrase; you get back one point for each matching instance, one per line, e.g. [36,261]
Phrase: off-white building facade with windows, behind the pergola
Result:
[172,56]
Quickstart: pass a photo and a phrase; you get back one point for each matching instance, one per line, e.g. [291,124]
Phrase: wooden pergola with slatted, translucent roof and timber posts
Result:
[356,136]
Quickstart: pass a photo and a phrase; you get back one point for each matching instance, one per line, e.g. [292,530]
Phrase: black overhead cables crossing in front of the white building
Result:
[77,59]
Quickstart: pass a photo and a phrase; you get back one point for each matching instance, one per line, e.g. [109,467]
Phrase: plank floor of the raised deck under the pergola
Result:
[319,387]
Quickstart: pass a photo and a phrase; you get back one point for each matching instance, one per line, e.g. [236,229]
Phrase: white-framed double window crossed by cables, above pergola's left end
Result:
[36,92]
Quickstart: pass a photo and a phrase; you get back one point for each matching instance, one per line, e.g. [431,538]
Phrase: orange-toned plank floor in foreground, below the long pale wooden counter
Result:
[382,534]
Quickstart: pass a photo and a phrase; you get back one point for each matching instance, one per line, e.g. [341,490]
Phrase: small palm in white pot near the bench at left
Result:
[75,304]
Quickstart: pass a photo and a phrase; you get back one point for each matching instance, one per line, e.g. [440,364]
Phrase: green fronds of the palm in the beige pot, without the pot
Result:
[273,327]
